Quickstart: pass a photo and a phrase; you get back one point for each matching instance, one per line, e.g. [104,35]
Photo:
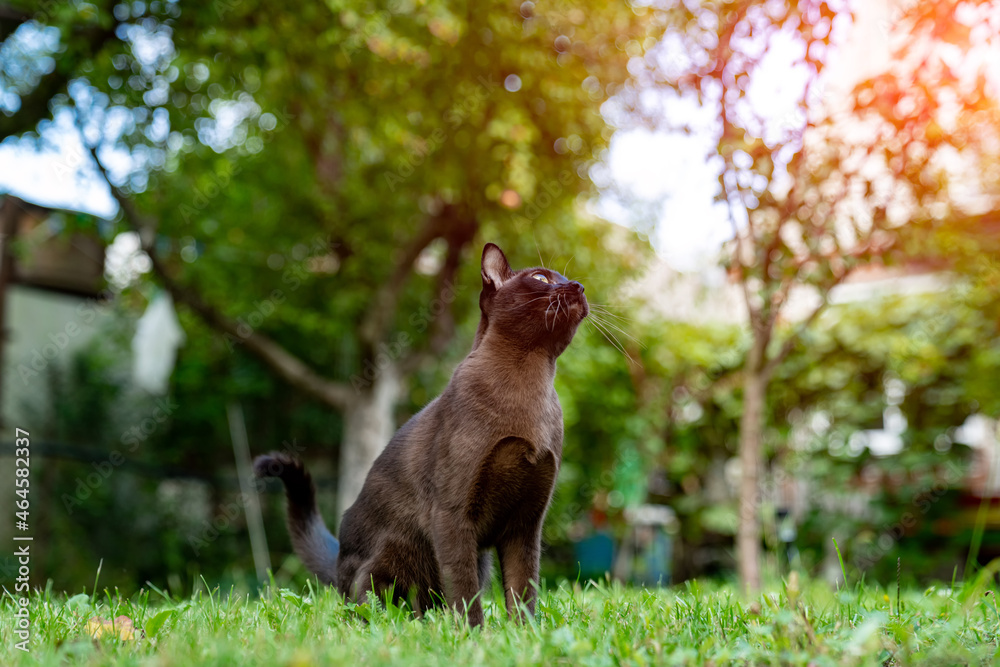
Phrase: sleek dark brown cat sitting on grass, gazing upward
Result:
[473,470]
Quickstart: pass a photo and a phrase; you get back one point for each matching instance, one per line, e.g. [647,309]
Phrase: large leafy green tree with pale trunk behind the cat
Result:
[382,140]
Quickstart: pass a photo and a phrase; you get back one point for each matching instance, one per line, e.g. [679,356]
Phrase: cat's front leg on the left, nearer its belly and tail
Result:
[458,557]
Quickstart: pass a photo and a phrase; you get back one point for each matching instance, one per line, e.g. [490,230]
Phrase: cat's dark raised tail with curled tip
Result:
[315,546]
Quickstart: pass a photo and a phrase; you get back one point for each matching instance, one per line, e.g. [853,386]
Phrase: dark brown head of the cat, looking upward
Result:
[529,309]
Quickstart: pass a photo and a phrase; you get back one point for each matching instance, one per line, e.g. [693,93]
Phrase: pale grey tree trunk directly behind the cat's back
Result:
[368,426]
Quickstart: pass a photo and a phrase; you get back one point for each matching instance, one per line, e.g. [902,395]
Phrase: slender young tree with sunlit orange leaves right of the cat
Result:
[808,202]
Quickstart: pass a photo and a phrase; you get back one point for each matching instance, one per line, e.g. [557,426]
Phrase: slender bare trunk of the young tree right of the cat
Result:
[751,427]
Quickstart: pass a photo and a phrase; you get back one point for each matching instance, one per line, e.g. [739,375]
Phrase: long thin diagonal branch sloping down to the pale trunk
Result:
[284,364]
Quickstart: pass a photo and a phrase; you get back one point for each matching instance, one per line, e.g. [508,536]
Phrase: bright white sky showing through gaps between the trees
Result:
[671,172]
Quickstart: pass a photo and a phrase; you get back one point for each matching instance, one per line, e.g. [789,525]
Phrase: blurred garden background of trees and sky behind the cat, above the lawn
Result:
[237,226]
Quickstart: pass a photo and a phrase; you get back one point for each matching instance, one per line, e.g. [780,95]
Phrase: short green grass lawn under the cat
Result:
[596,624]
